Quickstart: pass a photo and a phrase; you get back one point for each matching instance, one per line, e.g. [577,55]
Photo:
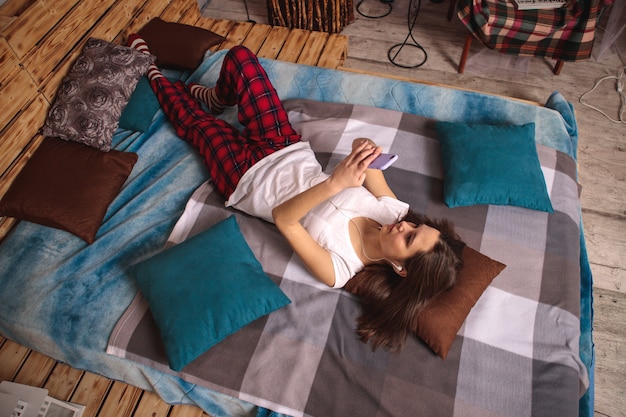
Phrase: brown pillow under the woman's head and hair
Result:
[440,321]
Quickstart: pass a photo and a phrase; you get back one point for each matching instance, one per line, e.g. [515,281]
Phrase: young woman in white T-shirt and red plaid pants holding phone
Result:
[344,225]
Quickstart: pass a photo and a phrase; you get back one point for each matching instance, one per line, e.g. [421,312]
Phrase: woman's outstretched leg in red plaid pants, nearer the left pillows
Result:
[223,150]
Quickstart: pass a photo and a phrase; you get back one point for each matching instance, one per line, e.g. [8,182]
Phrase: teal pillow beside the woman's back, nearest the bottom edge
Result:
[204,289]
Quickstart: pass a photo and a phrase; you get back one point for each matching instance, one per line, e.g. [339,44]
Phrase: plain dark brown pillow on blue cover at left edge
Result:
[68,186]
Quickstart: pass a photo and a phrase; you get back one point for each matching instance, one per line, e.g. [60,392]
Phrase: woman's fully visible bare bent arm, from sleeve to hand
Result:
[349,173]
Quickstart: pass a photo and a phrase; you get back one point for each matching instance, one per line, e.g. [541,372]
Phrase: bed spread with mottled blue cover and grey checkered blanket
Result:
[524,349]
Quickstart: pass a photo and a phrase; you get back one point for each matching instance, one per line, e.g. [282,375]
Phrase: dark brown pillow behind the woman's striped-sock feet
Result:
[177,45]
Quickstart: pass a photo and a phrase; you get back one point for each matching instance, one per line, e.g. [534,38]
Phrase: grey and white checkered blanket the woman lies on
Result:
[516,355]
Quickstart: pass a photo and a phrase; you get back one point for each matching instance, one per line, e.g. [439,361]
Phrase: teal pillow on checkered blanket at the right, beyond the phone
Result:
[492,164]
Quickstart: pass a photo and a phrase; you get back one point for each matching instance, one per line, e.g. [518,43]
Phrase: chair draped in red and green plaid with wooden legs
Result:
[562,34]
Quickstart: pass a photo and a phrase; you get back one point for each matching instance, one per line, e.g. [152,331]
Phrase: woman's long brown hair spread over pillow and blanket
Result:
[390,303]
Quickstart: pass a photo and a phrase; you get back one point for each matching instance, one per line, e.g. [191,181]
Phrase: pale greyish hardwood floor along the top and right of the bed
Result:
[601,151]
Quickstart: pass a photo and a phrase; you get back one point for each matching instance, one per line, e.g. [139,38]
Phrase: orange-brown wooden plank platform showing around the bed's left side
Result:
[38,43]
